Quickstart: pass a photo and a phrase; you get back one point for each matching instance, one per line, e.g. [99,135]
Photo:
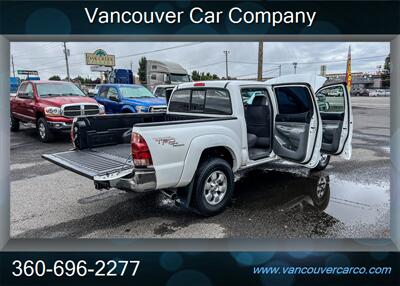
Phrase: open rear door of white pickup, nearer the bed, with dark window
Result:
[297,132]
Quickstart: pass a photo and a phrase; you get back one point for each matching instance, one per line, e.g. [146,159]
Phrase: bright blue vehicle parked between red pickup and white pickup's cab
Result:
[129,98]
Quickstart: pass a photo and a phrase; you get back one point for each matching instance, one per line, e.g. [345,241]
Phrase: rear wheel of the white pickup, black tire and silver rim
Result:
[222,190]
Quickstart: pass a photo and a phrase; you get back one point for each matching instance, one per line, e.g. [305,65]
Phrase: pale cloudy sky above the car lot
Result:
[48,57]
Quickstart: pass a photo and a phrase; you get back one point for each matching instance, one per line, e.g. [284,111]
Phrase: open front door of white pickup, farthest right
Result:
[337,119]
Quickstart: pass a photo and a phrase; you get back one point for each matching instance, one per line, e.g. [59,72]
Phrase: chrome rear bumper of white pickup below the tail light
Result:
[139,181]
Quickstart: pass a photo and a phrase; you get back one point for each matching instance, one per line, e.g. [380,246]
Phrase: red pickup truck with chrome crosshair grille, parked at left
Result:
[51,106]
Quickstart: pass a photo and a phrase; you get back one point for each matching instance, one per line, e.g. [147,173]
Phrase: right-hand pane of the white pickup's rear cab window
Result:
[218,102]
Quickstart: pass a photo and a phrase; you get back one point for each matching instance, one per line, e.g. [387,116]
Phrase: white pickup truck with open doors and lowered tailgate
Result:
[211,131]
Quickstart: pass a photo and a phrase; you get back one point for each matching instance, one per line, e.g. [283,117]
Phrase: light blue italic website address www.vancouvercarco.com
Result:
[312,270]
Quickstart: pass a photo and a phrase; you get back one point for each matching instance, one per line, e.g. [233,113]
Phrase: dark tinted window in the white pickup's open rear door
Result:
[293,99]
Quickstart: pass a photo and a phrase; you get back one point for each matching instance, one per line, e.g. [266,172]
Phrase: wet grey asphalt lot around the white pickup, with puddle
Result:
[50,202]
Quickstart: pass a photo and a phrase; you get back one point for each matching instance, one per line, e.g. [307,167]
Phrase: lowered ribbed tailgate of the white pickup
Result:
[103,163]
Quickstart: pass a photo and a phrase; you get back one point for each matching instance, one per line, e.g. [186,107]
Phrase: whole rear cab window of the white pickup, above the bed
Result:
[209,101]
